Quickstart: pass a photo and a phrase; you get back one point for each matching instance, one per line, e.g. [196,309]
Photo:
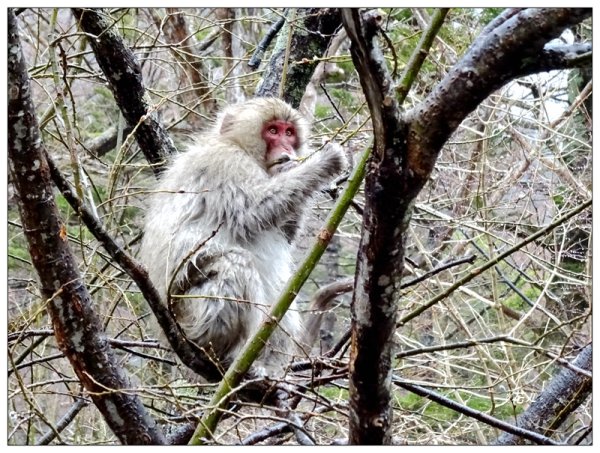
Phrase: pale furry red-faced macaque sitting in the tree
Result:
[219,226]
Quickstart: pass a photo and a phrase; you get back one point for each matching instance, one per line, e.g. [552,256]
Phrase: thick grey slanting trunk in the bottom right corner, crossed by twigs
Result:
[559,399]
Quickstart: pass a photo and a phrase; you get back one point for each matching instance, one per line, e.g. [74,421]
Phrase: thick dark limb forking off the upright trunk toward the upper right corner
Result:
[512,49]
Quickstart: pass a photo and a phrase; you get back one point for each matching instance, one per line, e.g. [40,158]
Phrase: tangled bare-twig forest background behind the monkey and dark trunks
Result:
[478,353]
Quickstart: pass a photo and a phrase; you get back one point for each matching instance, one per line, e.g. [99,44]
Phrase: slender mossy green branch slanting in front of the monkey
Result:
[255,345]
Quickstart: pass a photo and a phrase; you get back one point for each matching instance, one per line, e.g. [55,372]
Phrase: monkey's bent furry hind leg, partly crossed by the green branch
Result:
[226,306]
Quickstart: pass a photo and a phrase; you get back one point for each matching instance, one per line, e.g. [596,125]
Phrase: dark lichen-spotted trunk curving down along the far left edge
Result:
[78,330]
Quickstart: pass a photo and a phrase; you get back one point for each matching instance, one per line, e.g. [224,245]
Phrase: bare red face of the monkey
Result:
[282,141]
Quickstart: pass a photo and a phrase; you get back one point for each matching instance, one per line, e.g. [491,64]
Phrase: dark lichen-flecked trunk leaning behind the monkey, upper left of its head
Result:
[124,78]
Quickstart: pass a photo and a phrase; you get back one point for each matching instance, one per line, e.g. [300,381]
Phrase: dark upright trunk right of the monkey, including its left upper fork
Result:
[381,253]
